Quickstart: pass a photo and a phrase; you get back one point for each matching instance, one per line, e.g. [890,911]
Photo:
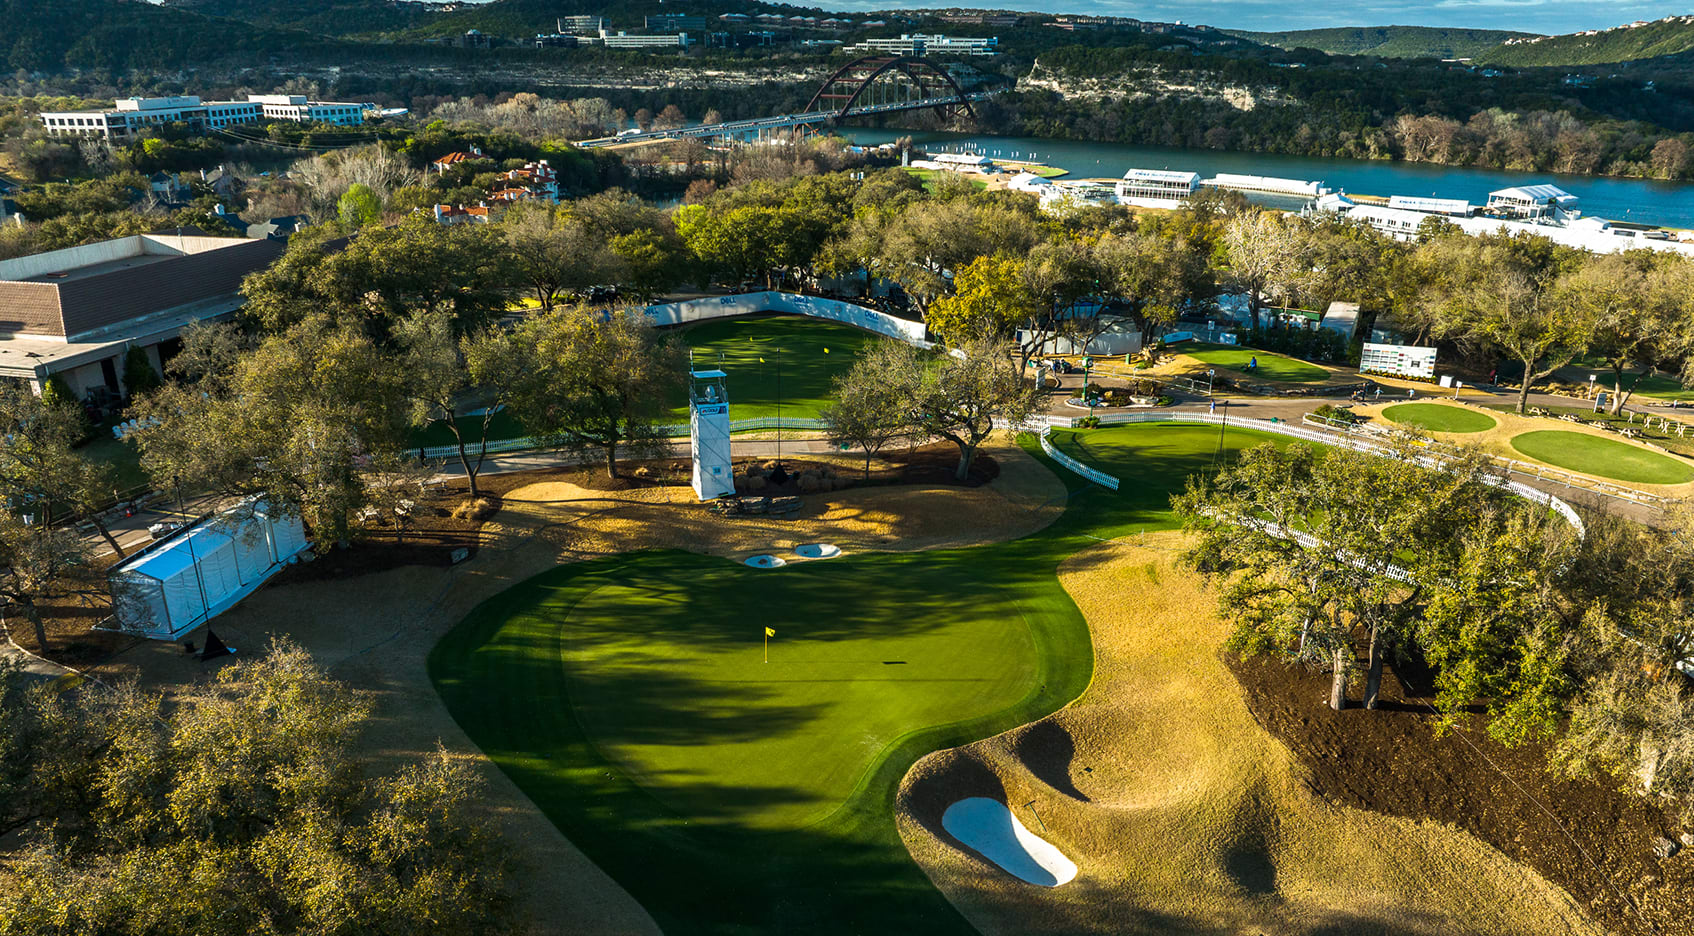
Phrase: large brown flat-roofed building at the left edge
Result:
[77,312]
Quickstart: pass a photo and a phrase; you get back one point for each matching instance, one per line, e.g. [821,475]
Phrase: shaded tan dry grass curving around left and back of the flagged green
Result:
[377,630]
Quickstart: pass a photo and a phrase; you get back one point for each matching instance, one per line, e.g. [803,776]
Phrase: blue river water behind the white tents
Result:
[1620,201]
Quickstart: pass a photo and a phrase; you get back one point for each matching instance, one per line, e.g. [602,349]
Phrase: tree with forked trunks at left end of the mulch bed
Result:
[1317,549]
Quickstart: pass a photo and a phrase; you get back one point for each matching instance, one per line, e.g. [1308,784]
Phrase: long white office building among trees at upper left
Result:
[133,118]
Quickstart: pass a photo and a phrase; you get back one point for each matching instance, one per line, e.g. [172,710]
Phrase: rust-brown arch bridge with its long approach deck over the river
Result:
[860,89]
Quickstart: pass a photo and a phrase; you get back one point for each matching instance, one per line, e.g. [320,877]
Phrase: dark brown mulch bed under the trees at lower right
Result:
[1583,835]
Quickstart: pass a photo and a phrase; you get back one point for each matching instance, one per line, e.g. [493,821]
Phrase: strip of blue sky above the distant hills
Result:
[1525,16]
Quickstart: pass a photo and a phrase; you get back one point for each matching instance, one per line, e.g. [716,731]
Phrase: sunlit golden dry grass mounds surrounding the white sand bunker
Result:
[1182,813]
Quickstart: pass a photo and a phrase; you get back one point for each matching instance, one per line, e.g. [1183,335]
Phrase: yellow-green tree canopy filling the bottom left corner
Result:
[235,808]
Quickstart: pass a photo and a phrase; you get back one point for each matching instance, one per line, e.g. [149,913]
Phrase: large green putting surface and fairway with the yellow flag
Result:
[628,698]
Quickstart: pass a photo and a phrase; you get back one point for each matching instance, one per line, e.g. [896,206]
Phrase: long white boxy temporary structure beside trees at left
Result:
[202,571]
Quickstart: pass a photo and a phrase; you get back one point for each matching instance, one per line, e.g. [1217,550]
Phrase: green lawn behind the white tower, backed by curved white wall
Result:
[814,351]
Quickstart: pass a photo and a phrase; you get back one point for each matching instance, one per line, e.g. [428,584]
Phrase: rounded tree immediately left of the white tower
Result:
[595,382]
